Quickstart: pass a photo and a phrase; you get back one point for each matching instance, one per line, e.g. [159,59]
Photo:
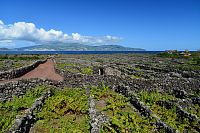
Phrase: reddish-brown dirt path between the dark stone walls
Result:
[43,71]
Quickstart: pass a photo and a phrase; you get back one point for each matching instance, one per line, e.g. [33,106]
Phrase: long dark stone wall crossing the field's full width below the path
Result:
[73,80]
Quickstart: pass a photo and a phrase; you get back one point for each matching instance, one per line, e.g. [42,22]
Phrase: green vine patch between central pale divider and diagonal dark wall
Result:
[122,117]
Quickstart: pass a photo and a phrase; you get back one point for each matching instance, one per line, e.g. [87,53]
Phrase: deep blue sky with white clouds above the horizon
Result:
[148,24]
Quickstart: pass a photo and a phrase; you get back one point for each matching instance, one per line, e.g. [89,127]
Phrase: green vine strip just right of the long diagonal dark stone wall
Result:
[167,115]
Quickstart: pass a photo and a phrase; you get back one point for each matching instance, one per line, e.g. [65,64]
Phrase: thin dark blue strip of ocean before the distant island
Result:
[77,52]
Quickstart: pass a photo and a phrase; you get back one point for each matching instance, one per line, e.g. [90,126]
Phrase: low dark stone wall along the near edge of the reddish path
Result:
[19,88]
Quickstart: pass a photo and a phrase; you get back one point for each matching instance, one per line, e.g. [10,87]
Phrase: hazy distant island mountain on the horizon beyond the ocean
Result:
[77,47]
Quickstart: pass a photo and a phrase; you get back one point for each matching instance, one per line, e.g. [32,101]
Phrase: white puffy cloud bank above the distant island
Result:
[29,32]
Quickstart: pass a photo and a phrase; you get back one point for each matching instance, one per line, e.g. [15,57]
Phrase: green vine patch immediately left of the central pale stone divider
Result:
[65,111]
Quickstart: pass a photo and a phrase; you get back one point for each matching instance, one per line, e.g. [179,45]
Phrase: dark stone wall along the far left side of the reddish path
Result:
[15,73]
